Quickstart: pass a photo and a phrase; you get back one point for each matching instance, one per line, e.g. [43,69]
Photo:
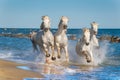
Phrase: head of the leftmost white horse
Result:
[45,25]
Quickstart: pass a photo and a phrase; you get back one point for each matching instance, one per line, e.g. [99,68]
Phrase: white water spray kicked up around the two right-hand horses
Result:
[98,54]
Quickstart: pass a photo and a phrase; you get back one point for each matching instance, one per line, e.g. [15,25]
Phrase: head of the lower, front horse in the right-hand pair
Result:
[86,36]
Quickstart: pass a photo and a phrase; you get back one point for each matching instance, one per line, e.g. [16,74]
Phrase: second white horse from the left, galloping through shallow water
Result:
[60,37]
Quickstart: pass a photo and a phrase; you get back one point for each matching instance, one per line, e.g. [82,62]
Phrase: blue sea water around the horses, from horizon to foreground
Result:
[20,50]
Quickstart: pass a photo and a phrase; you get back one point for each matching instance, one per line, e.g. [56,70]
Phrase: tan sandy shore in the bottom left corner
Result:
[8,71]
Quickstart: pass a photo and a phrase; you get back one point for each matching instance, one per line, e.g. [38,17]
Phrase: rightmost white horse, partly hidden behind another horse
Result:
[94,30]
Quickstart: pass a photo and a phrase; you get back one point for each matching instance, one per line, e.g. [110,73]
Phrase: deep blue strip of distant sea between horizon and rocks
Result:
[113,32]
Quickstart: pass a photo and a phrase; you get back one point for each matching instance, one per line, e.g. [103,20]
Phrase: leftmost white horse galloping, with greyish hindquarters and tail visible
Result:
[44,38]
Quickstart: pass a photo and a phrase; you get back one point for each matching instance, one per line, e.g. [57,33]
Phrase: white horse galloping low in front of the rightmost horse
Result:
[83,47]
